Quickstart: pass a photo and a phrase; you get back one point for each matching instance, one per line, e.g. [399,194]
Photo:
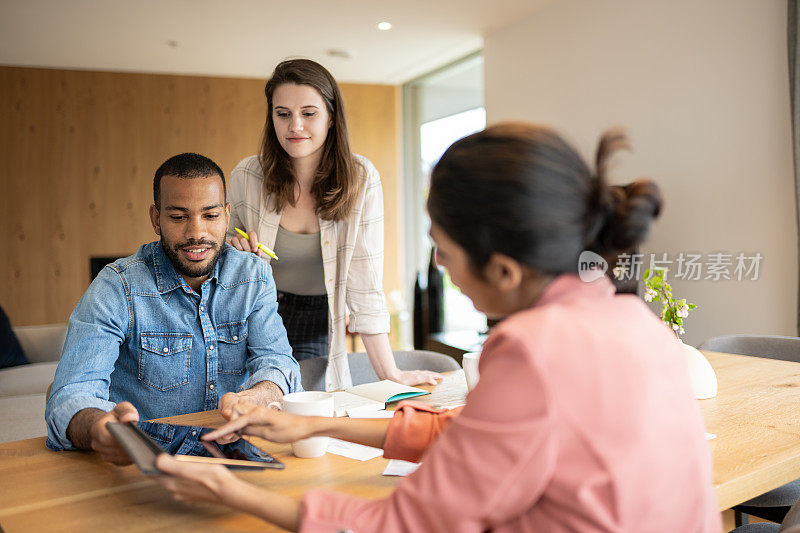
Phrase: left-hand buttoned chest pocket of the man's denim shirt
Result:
[164,359]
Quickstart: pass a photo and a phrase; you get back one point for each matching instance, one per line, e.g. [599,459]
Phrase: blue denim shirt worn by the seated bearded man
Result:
[141,334]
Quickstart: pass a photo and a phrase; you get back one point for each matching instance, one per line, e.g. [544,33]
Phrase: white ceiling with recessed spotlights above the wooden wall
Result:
[247,38]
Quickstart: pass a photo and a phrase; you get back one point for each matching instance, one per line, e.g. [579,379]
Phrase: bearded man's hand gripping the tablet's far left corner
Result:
[87,430]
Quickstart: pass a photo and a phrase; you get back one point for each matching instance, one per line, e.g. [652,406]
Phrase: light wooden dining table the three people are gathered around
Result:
[755,417]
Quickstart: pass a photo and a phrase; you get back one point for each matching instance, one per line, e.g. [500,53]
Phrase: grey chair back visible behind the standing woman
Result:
[312,371]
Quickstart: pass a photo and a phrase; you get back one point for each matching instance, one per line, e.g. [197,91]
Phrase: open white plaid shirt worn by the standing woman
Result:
[352,257]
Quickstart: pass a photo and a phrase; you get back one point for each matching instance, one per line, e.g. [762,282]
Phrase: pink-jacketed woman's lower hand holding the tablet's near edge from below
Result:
[195,482]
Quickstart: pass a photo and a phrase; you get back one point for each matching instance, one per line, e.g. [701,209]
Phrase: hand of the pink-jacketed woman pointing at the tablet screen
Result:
[270,424]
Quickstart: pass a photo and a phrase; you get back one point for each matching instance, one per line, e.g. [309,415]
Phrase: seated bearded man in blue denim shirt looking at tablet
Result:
[186,324]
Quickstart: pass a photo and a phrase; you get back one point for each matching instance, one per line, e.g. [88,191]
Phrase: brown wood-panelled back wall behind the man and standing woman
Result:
[79,150]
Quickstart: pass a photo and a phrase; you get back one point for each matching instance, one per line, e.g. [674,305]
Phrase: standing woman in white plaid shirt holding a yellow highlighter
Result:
[320,208]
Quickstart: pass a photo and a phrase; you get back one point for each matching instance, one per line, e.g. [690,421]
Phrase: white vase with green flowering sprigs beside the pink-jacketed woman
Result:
[673,313]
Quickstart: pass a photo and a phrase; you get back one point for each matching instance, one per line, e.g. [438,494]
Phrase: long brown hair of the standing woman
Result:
[337,179]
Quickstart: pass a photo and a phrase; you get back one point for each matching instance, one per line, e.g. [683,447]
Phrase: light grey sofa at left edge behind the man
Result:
[23,388]
